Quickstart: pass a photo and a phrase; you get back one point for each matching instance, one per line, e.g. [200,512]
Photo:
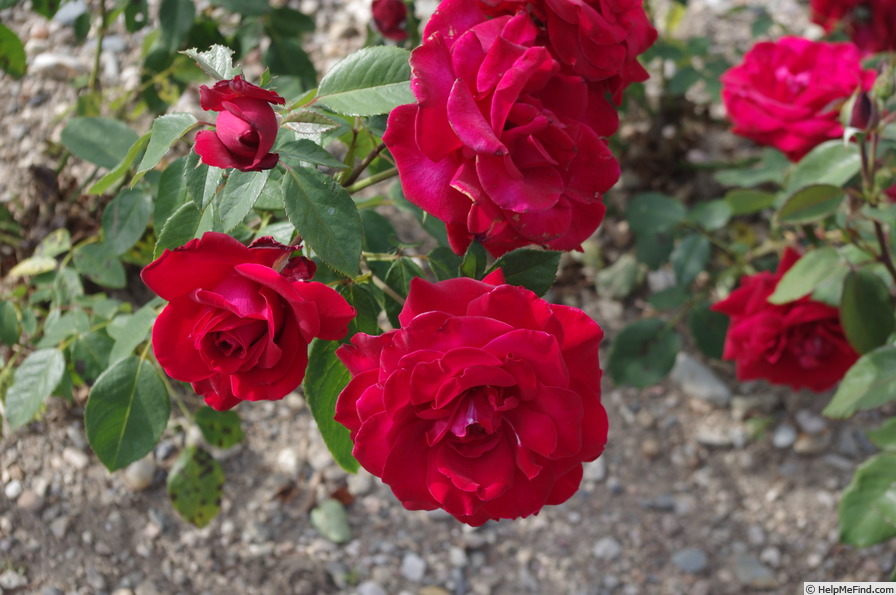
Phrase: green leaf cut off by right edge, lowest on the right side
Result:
[868,504]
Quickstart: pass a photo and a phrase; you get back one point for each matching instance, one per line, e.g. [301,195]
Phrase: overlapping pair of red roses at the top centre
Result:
[506,143]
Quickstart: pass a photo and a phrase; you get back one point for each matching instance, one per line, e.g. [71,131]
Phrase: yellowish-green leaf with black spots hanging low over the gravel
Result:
[195,484]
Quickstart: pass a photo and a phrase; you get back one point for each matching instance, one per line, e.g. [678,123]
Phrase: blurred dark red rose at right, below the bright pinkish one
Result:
[800,343]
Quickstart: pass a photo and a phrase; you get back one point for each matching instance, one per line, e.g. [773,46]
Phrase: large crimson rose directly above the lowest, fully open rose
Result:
[502,146]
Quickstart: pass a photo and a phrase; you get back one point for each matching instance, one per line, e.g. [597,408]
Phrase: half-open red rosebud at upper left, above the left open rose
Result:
[246,127]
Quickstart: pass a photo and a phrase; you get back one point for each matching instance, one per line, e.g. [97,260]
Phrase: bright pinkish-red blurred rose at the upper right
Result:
[788,93]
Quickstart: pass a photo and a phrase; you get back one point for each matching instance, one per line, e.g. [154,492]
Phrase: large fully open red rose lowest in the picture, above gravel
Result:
[485,402]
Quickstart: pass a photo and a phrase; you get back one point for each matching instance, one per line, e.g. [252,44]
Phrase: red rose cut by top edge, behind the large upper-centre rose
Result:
[598,39]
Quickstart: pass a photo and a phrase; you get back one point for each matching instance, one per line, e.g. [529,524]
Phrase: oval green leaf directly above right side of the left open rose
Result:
[326,216]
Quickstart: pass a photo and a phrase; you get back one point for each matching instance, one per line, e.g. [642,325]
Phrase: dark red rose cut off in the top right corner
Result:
[871,24]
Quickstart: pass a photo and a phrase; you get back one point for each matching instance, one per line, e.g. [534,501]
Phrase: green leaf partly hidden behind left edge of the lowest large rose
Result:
[324,380]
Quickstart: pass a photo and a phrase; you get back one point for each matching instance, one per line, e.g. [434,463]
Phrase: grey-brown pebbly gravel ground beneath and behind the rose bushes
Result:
[706,486]
